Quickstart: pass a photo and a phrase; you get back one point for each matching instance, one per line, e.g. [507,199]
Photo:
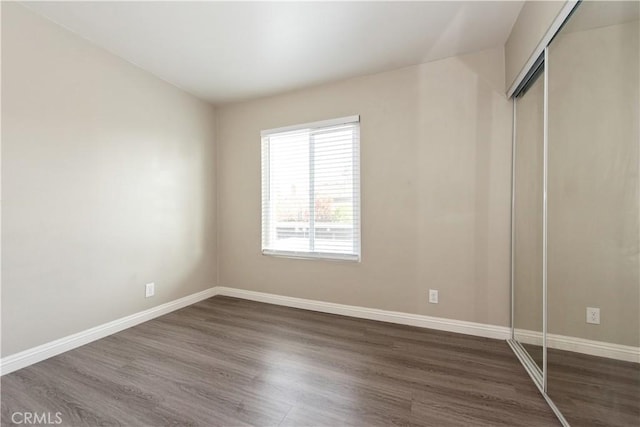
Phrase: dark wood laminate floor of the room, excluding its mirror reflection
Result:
[231,362]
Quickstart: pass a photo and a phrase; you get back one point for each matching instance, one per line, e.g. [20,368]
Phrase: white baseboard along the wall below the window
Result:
[439,323]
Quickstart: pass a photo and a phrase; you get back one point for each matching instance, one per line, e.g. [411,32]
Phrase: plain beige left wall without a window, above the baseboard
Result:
[108,183]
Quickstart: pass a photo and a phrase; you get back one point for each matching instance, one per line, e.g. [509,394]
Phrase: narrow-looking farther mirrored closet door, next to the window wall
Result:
[527,217]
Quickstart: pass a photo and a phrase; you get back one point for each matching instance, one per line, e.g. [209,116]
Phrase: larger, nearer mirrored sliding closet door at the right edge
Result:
[593,374]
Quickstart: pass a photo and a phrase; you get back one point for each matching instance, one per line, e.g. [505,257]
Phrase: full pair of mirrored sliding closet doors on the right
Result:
[576,252]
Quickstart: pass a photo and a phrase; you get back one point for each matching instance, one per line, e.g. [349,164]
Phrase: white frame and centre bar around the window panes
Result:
[266,214]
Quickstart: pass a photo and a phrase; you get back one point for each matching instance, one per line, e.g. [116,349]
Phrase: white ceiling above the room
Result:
[228,51]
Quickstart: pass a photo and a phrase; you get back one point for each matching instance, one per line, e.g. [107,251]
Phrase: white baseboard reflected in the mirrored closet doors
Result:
[580,345]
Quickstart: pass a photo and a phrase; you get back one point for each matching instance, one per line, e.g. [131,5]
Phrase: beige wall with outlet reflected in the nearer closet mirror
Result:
[594,106]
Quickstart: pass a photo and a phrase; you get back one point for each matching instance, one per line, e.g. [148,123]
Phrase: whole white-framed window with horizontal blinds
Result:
[311,190]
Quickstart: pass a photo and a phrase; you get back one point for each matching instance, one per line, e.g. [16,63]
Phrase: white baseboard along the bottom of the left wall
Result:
[37,354]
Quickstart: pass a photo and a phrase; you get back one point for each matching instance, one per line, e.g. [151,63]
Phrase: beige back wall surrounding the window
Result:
[435,154]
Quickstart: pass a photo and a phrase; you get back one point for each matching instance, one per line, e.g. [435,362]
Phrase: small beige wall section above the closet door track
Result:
[534,20]
